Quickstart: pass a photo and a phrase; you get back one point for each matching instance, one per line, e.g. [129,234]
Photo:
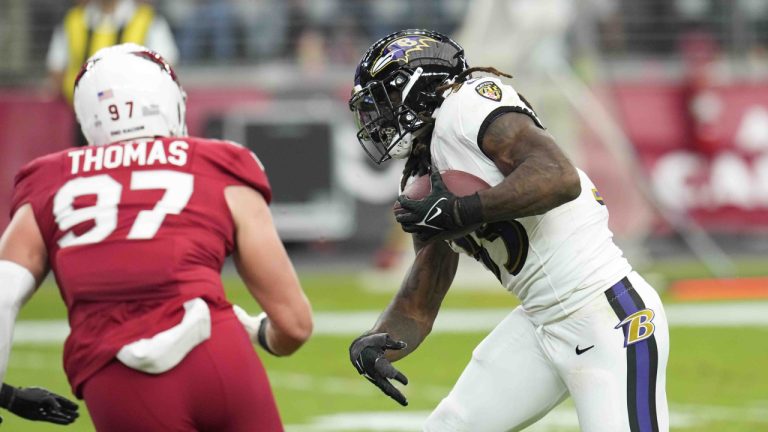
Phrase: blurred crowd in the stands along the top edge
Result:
[256,31]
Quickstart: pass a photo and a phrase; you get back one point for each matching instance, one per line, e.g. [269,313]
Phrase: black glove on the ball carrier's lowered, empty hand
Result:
[367,355]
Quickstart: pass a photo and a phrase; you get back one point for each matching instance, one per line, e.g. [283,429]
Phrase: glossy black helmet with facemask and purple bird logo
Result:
[396,89]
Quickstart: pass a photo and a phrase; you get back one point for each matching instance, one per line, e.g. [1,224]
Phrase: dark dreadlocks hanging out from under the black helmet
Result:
[420,159]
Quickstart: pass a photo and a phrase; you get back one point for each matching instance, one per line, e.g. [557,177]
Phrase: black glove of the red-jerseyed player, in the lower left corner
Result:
[35,403]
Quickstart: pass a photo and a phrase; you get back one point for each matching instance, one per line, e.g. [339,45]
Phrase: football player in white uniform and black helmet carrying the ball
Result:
[589,326]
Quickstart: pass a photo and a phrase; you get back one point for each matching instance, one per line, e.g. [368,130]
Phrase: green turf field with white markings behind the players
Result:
[717,376]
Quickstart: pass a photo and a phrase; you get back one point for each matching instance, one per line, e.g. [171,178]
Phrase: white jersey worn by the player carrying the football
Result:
[555,262]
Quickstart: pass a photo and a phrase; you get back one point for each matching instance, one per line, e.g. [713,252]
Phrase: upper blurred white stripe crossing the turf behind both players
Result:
[735,314]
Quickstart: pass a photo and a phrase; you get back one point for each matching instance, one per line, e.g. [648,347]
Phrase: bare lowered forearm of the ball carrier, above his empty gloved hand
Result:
[412,312]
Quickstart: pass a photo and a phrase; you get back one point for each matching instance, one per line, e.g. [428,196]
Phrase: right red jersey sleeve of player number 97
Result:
[236,165]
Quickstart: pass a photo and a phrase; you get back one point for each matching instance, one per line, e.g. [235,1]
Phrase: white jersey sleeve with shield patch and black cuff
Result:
[484,100]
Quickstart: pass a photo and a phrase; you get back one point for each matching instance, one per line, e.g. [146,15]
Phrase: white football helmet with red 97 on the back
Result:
[127,92]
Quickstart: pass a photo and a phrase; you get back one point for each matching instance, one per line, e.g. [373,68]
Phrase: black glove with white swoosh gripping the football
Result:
[440,212]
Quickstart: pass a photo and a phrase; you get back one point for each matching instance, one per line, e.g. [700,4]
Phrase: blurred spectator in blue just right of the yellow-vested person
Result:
[212,20]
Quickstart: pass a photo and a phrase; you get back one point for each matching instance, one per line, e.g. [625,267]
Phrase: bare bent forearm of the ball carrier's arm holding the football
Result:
[534,187]
